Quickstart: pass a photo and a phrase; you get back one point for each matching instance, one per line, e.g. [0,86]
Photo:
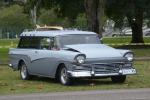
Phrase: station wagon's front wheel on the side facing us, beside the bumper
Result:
[63,76]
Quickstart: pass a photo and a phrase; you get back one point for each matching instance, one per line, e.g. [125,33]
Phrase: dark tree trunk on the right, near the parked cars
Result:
[136,26]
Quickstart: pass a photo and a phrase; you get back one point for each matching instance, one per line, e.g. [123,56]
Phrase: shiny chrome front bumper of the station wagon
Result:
[78,74]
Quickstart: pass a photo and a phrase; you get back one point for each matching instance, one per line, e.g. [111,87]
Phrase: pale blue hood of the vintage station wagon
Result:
[95,50]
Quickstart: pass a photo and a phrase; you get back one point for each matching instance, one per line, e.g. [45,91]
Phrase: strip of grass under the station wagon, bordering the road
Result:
[10,82]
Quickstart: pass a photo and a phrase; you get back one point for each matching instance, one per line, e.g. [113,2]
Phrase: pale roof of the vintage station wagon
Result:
[54,33]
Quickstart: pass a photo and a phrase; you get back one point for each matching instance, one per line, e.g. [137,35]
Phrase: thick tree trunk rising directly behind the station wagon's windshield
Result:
[95,13]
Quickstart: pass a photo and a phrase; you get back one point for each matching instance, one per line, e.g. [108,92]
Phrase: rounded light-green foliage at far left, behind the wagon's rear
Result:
[13,19]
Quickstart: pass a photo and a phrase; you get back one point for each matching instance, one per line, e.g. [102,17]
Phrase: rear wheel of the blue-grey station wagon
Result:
[24,72]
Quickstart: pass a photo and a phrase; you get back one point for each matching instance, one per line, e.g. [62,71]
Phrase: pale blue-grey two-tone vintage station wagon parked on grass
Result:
[69,54]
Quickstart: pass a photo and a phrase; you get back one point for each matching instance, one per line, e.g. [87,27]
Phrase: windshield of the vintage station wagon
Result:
[78,39]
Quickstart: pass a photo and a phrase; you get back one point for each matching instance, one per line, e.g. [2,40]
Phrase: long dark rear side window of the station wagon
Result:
[29,42]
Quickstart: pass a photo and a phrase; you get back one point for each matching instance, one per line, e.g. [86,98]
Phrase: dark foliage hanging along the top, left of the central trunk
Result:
[64,8]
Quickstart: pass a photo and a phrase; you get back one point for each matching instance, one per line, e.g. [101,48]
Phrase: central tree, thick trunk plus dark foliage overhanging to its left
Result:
[72,8]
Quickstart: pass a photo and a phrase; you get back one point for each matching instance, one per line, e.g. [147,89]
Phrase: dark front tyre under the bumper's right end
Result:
[118,79]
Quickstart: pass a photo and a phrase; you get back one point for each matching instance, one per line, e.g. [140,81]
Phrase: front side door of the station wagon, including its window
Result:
[43,62]
